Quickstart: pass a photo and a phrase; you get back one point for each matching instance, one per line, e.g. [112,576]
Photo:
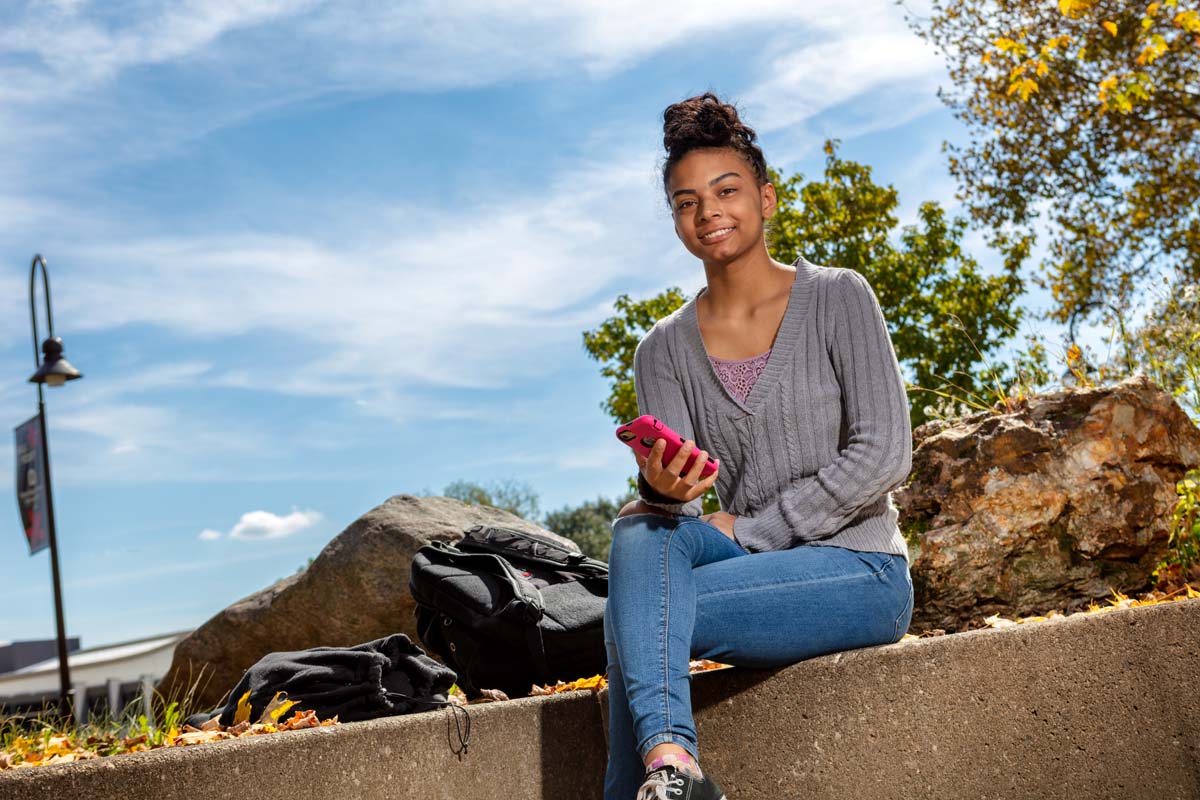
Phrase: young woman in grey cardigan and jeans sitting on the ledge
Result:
[788,377]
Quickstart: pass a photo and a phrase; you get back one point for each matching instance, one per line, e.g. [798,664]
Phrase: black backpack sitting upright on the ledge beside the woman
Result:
[507,610]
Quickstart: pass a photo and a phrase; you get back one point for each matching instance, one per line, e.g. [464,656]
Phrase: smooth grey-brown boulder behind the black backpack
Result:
[355,592]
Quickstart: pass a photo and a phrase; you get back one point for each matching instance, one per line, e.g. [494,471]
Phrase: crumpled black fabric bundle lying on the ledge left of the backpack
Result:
[387,677]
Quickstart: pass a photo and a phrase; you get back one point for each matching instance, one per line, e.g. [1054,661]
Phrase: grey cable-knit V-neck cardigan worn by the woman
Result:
[813,454]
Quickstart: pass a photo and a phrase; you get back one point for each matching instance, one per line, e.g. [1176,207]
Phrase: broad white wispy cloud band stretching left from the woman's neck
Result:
[451,308]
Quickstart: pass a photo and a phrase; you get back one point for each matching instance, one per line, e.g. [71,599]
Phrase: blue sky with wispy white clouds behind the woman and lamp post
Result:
[310,255]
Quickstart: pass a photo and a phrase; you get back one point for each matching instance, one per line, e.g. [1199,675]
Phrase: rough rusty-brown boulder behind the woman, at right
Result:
[1049,508]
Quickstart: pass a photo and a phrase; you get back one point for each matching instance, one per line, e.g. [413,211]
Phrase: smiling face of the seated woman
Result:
[718,207]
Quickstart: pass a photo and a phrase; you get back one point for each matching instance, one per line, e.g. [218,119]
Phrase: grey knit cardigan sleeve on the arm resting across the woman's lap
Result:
[878,456]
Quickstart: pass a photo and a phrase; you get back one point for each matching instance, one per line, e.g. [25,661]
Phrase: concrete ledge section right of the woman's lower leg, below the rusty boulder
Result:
[1100,706]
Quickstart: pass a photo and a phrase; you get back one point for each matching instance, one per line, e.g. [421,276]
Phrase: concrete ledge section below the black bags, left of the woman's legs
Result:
[530,748]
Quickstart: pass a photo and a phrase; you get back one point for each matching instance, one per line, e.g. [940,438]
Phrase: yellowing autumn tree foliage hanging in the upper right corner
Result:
[1084,122]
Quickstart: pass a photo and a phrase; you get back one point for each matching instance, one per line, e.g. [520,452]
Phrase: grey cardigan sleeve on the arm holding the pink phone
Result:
[659,394]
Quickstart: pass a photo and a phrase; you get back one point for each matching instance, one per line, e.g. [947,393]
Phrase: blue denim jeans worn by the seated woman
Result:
[680,590]
